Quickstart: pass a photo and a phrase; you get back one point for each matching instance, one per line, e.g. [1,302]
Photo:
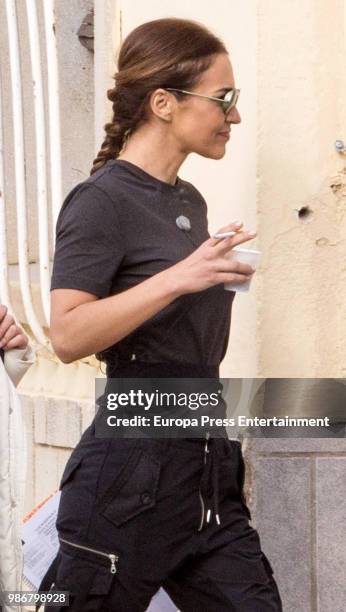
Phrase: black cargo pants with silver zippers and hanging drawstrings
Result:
[137,514]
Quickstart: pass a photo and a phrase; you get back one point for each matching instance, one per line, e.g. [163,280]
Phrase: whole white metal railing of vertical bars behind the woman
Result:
[44,232]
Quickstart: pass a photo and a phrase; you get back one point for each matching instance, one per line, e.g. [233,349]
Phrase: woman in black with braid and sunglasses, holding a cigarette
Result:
[138,280]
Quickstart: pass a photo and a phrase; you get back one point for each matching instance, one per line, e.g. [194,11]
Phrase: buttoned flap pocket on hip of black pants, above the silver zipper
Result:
[134,490]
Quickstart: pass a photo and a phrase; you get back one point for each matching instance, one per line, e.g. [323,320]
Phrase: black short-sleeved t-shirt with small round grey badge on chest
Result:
[118,228]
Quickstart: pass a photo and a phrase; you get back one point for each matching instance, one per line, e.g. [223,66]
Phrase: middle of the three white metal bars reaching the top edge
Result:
[41,166]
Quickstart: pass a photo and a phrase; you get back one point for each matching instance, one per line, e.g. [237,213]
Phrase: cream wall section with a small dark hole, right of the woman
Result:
[301,112]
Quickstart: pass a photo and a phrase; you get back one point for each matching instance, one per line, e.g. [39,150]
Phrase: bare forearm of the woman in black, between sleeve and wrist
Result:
[94,326]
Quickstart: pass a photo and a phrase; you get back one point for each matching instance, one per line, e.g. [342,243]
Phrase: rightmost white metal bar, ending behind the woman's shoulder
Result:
[53,109]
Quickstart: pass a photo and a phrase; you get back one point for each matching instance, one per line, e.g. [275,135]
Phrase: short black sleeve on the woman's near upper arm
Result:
[89,247]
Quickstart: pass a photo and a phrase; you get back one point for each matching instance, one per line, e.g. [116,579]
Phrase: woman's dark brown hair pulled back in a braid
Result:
[162,53]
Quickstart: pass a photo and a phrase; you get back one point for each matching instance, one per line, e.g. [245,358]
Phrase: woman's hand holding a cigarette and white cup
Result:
[207,265]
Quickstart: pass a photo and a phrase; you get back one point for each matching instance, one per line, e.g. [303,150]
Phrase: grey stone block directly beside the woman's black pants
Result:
[281,496]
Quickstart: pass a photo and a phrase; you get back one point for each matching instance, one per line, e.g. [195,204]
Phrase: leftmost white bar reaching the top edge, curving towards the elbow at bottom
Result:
[19,159]
